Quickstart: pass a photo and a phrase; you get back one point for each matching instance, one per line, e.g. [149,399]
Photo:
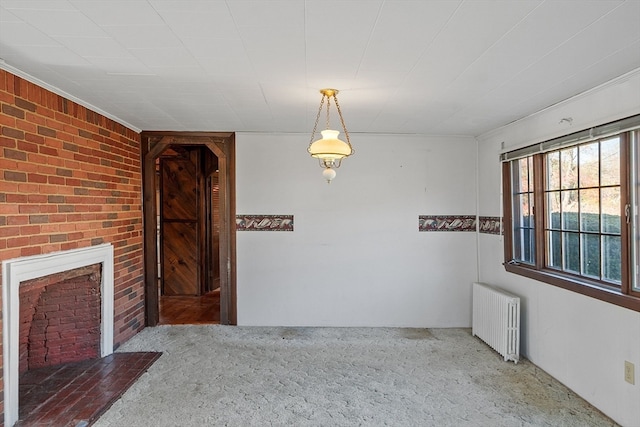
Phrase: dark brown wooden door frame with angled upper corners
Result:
[222,144]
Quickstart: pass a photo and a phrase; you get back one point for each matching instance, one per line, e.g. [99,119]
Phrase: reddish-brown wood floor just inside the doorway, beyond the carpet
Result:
[190,310]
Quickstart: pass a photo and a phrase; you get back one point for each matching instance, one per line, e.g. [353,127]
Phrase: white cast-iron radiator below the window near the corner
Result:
[496,320]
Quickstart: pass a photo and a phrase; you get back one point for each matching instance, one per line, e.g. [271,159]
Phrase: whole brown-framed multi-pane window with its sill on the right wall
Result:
[571,212]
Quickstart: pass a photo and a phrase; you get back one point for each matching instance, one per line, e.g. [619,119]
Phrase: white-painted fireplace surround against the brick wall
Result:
[20,270]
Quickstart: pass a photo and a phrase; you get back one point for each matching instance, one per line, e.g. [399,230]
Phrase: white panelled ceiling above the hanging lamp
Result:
[427,67]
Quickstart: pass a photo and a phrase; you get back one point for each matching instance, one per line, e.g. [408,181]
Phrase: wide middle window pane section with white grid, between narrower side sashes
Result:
[583,227]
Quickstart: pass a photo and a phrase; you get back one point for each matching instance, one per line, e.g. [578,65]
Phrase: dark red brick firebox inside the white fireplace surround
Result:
[60,318]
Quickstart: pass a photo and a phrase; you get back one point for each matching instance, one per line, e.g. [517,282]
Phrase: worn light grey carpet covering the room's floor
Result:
[212,375]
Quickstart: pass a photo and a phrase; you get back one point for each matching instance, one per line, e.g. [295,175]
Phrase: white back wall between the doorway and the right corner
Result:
[356,257]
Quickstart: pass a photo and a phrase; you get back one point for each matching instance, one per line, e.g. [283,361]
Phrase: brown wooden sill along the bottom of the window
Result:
[602,293]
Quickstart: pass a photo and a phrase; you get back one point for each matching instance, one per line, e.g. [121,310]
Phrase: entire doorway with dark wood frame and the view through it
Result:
[189,214]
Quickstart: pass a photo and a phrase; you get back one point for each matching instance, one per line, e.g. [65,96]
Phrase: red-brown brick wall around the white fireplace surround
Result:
[70,178]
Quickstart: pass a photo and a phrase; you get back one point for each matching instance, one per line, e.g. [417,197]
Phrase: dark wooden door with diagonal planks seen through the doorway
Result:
[180,224]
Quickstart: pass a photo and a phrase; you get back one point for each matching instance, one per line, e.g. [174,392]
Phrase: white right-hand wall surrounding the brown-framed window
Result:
[579,340]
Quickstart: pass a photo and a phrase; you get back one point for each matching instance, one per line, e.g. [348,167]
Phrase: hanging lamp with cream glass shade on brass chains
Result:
[329,150]
